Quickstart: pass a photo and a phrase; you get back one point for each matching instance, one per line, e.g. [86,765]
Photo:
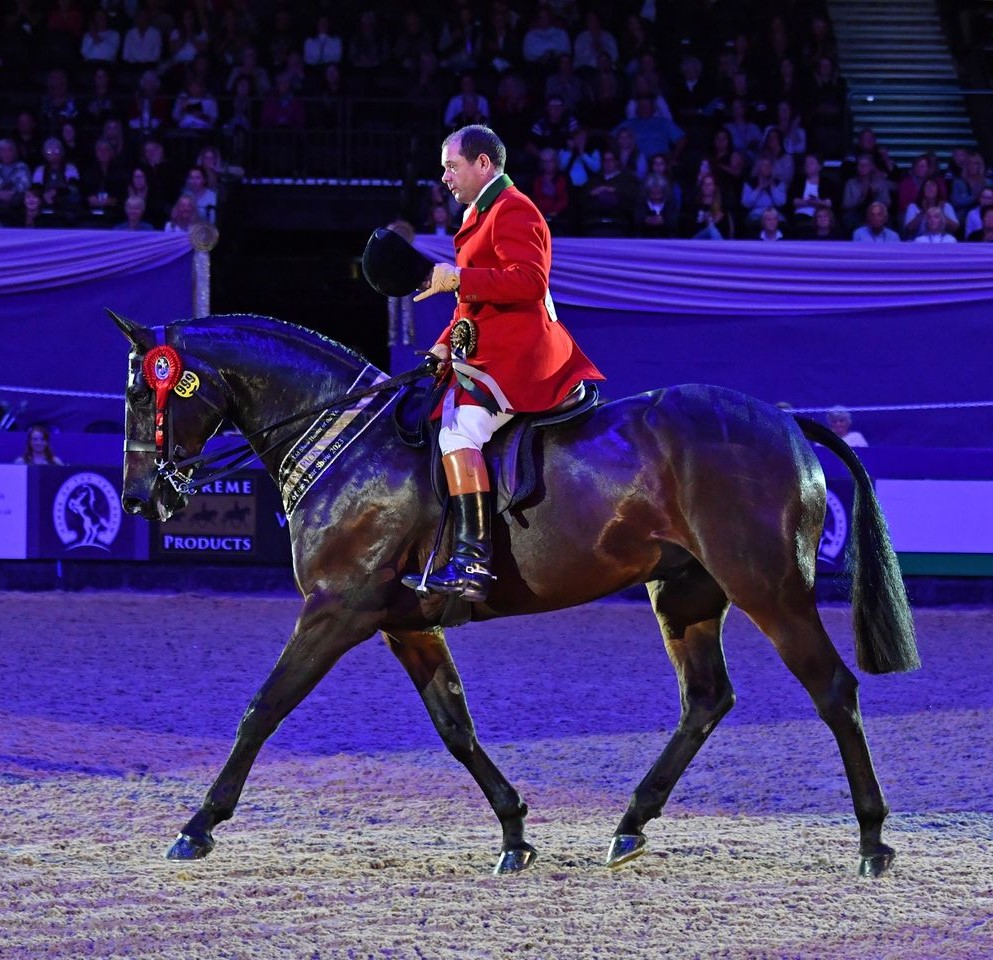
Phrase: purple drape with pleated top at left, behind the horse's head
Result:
[54,286]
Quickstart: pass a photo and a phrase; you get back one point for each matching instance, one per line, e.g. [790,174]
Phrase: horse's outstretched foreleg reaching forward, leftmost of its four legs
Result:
[317,643]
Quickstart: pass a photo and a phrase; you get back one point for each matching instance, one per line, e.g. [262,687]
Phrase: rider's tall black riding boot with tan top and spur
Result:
[467,574]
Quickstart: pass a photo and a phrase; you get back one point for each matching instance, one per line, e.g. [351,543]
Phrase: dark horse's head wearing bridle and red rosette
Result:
[174,403]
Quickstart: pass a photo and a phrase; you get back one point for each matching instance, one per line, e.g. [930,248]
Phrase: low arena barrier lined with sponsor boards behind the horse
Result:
[937,502]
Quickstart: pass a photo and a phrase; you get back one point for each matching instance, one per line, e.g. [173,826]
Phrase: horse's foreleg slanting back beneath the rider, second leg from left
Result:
[425,656]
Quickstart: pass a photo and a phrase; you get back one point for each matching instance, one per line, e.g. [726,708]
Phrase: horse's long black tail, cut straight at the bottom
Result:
[884,627]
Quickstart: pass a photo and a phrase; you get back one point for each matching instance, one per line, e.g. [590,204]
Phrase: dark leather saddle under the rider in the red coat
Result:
[510,453]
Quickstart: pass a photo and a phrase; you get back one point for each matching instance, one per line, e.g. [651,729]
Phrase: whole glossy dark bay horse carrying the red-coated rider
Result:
[707,496]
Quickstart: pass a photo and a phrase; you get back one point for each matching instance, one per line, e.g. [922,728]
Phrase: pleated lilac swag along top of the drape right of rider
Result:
[733,278]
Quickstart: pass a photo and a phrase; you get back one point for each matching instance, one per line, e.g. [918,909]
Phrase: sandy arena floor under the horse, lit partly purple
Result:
[359,837]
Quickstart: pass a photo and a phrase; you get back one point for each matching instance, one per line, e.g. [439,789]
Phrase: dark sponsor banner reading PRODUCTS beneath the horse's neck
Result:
[238,519]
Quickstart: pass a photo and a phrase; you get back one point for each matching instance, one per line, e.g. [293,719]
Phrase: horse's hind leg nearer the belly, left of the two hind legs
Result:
[691,613]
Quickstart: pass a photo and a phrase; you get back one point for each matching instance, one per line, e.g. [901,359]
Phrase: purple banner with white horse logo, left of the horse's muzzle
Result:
[75,513]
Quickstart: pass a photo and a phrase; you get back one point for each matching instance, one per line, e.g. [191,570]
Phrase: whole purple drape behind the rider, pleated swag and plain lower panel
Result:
[810,323]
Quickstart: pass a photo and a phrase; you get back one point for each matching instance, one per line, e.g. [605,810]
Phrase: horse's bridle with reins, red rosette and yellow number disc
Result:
[162,368]
